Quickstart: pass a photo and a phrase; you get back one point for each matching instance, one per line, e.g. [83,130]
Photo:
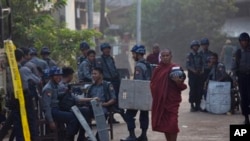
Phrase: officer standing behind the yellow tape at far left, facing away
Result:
[26,76]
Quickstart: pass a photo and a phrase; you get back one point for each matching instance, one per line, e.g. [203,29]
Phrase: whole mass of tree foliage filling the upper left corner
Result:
[33,25]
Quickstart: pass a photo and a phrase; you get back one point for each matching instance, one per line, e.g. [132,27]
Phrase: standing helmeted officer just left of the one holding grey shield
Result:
[110,72]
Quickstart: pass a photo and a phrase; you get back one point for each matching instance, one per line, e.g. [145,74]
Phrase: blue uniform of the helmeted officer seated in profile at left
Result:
[51,95]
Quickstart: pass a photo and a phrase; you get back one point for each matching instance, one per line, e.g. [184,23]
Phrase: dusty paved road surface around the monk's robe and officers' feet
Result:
[197,126]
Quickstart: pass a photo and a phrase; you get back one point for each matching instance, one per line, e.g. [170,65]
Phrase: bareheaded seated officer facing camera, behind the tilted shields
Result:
[102,89]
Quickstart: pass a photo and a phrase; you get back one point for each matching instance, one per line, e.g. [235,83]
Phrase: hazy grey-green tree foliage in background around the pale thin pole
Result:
[175,23]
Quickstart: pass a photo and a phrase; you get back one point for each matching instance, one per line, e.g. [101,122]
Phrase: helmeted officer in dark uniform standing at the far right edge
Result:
[241,69]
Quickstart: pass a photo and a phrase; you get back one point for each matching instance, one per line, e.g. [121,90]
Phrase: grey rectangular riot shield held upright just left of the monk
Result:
[135,94]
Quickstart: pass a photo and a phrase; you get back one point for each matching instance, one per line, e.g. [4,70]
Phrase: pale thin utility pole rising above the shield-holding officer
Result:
[138,23]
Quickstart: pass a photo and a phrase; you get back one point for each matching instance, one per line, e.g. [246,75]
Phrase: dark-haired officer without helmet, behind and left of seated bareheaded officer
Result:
[86,67]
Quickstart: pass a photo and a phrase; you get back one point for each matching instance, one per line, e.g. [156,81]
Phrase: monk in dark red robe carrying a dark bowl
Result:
[166,93]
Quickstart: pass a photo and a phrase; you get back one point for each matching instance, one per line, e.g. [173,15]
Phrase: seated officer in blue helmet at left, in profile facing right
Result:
[51,95]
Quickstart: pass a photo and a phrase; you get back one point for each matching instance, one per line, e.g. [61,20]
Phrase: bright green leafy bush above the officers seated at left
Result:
[63,42]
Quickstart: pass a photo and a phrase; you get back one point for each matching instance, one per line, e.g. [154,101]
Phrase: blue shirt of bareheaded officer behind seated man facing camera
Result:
[85,70]
